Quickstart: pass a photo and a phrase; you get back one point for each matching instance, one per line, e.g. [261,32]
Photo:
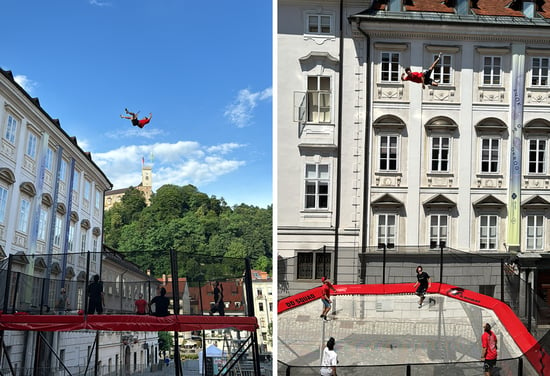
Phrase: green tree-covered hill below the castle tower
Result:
[196,226]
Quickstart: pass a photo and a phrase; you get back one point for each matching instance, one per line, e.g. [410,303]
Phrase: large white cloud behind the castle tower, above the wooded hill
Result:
[180,163]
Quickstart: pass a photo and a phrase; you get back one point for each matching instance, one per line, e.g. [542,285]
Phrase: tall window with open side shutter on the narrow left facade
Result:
[318,99]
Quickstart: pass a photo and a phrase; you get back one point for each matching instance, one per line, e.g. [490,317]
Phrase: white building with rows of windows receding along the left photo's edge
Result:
[51,214]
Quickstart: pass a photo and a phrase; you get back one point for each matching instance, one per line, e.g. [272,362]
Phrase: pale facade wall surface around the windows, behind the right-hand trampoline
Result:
[466,110]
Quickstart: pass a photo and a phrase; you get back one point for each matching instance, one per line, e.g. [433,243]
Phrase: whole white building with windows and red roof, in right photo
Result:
[364,158]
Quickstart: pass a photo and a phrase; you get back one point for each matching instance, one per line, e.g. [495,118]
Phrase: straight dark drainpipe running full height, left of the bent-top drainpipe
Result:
[339,152]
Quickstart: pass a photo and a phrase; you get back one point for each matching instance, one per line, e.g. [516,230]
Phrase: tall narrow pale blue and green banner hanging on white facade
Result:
[516,111]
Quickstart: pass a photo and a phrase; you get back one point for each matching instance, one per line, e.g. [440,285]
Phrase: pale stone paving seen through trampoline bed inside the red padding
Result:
[389,329]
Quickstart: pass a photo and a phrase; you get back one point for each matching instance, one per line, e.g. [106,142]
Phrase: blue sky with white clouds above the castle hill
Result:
[202,68]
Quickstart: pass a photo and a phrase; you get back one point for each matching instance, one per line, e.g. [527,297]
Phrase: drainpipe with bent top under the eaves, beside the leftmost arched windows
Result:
[365,217]
